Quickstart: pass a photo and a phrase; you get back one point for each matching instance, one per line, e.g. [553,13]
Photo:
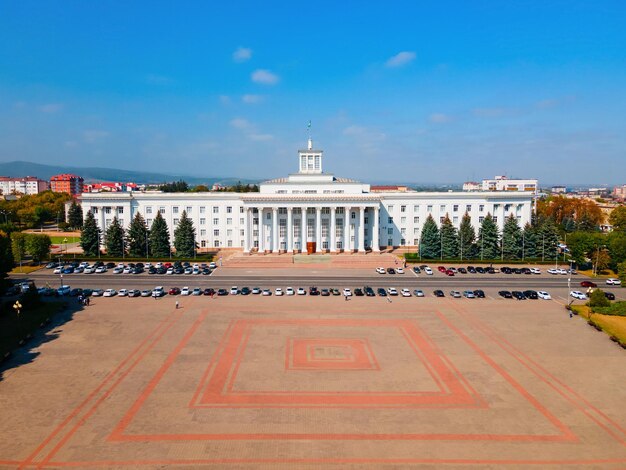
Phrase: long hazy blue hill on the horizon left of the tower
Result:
[95,174]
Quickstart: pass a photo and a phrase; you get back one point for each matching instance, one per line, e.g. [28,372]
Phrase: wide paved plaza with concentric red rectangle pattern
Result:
[300,382]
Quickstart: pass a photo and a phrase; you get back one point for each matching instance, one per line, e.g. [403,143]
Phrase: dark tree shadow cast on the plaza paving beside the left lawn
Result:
[49,331]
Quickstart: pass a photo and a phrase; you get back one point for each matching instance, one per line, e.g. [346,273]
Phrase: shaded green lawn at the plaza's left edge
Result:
[14,329]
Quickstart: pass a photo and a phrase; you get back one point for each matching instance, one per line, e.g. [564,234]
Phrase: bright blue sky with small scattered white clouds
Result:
[406,91]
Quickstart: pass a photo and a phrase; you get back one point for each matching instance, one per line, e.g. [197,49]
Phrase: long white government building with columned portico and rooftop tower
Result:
[310,211]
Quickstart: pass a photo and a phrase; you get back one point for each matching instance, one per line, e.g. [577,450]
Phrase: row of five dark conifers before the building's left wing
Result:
[138,240]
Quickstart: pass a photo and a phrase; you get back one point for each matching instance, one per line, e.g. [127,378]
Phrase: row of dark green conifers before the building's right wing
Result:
[515,242]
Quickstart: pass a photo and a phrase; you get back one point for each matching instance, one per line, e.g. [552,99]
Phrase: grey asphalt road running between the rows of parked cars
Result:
[489,282]
